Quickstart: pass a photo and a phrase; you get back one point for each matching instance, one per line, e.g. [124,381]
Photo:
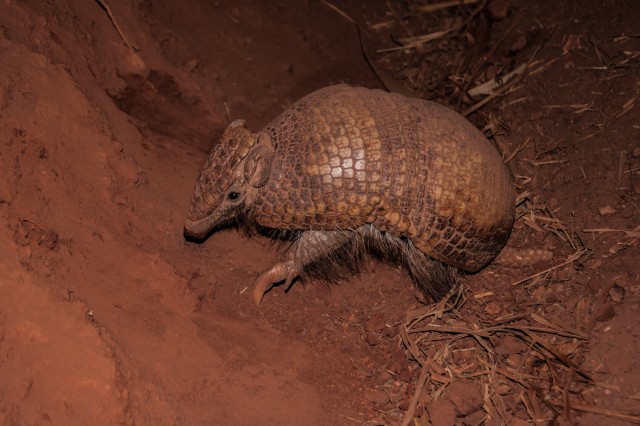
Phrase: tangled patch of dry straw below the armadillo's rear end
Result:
[537,375]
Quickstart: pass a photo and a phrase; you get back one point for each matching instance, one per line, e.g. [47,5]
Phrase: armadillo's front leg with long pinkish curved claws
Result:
[310,247]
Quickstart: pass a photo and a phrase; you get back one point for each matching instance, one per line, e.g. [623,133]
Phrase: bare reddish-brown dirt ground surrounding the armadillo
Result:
[108,316]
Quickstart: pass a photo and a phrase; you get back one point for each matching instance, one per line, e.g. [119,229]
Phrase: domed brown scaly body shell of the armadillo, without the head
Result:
[345,156]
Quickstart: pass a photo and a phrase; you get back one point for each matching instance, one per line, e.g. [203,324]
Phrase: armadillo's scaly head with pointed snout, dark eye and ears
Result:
[236,168]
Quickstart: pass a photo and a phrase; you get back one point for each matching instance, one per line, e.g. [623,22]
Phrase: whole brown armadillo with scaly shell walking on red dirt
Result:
[346,171]
